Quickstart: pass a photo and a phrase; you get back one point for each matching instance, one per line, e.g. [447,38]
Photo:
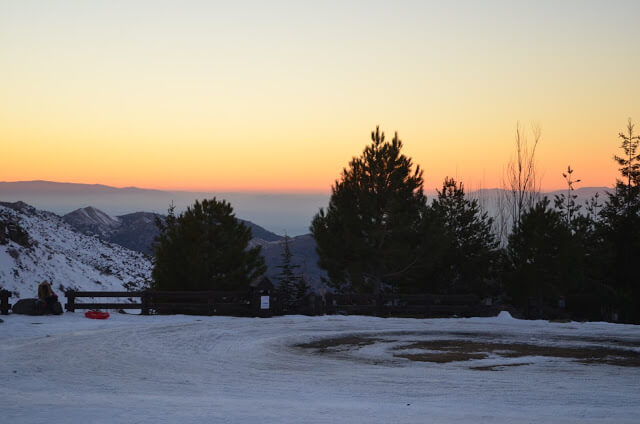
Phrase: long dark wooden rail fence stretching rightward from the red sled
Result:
[249,304]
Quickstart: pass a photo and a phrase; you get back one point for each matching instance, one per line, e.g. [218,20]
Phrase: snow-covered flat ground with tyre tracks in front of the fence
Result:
[188,369]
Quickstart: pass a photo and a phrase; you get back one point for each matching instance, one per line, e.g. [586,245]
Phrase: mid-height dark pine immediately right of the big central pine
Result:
[471,255]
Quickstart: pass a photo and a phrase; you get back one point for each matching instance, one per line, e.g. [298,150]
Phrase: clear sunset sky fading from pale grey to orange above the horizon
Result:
[278,96]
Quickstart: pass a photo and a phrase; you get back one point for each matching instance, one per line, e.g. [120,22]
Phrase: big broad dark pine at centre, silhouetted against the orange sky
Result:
[367,238]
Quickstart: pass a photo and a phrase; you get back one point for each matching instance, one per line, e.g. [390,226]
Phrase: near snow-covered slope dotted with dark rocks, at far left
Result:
[55,252]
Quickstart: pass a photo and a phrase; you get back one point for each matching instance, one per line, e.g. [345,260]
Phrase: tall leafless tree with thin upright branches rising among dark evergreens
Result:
[521,185]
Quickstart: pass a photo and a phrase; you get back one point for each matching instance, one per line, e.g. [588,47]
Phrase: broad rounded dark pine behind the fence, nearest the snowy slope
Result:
[205,248]
